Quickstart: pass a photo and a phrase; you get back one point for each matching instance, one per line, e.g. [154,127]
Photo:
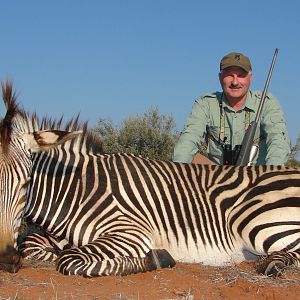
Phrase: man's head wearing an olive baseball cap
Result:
[235,77]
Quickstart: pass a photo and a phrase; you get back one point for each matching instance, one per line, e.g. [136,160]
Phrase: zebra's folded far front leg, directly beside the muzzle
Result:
[42,247]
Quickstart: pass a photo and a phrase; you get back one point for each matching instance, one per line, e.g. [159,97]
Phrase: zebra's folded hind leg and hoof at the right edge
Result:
[275,264]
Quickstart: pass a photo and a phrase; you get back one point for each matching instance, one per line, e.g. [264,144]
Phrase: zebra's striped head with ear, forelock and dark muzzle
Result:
[18,140]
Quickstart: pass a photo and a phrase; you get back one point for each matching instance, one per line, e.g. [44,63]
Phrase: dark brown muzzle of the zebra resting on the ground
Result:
[10,260]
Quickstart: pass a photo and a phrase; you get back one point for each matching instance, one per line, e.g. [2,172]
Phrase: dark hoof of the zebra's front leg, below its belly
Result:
[160,258]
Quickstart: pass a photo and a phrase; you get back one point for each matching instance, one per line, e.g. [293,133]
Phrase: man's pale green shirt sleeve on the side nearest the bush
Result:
[193,132]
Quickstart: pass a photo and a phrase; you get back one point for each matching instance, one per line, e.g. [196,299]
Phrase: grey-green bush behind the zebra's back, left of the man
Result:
[151,135]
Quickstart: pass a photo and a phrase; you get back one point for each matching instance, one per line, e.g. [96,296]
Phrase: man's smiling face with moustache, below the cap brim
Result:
[235,83]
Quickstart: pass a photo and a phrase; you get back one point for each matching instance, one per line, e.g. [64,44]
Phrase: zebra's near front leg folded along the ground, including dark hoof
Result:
[81,262]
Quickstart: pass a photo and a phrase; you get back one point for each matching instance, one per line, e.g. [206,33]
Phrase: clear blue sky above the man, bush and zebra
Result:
[117,58]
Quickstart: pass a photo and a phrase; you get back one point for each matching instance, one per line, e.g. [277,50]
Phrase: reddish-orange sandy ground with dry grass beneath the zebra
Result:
[184,282]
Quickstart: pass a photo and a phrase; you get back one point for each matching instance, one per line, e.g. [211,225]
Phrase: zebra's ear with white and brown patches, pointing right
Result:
[47,139]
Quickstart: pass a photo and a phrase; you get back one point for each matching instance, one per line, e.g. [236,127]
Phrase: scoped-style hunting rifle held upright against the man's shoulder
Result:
[248,150]
